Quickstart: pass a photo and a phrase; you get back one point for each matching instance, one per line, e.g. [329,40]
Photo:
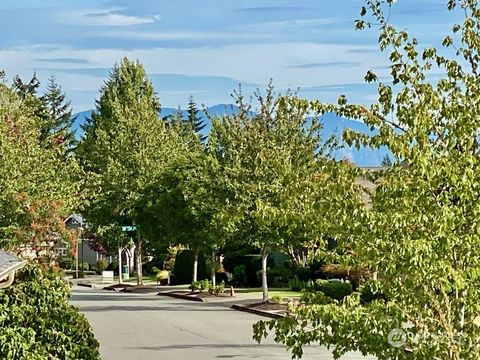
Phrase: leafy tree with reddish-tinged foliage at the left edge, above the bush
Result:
[38,186]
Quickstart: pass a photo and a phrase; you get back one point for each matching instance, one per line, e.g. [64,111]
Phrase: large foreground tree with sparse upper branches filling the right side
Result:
[420,232]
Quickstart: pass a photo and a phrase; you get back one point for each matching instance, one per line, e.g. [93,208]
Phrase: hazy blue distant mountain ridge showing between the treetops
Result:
[332,125]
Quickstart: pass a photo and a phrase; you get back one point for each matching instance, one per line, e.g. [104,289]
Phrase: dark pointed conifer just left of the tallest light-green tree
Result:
[59,120]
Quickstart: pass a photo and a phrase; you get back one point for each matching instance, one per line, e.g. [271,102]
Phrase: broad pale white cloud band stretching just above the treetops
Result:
[250,63]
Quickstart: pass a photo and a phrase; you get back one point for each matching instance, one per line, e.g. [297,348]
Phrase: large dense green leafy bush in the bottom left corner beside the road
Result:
[38,322]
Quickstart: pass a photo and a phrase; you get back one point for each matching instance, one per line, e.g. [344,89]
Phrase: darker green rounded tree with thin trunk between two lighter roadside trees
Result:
[185,199]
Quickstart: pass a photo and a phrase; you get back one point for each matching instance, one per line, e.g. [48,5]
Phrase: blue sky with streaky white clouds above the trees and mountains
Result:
[205,49]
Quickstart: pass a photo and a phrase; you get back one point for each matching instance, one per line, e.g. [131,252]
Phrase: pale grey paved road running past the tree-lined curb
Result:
[136,326]
